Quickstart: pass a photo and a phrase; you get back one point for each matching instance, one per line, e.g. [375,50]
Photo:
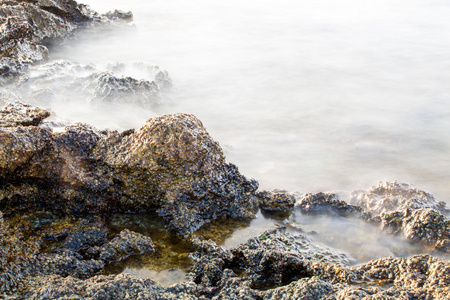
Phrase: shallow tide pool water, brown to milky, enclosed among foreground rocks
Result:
[170,262]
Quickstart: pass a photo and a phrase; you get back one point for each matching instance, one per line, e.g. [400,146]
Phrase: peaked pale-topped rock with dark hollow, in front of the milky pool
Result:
[278,258]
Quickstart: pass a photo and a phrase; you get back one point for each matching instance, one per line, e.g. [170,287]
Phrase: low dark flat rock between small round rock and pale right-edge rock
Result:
[326,203]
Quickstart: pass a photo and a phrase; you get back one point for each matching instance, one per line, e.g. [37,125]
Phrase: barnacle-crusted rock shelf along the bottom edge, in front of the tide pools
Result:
[275,265]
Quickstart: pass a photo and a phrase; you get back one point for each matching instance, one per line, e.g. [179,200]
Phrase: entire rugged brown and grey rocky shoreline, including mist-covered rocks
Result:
[58,188]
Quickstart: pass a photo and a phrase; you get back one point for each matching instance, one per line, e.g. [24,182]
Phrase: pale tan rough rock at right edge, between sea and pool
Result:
[402,209]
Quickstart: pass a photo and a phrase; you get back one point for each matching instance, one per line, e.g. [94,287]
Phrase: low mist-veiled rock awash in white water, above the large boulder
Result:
[55,82]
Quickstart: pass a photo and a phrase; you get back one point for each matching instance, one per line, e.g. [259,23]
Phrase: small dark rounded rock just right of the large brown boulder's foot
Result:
[276,201]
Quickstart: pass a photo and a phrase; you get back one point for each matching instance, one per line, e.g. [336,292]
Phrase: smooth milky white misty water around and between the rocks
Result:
[307,96]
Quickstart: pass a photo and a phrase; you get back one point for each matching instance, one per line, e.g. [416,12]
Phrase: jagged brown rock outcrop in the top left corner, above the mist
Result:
[25,26]
